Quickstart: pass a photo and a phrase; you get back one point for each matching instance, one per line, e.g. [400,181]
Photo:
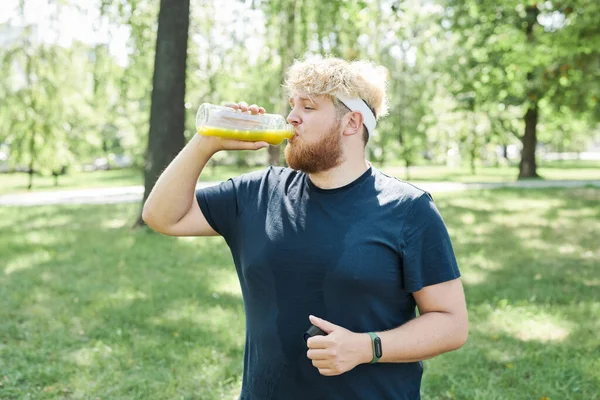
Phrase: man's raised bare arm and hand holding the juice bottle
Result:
[171,207]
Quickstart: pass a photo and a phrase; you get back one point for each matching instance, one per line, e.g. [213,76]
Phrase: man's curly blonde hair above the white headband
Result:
[330,76]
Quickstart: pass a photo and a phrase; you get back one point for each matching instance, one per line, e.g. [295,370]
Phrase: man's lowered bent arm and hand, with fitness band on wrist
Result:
[441,326]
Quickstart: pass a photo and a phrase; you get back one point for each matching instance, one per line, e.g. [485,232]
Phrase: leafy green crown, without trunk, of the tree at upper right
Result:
[513,54]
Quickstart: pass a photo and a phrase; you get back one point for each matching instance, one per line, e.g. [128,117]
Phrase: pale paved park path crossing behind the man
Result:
[134,193]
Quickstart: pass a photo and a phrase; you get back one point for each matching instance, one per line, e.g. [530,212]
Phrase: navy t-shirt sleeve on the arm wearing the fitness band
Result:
[427,253]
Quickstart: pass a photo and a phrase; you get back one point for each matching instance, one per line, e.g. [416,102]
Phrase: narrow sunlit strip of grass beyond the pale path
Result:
[575,170]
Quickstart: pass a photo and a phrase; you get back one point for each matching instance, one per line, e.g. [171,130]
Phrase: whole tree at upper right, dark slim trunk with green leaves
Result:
[519,54]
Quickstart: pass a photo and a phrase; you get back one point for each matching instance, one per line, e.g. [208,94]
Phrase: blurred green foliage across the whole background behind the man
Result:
[462,74]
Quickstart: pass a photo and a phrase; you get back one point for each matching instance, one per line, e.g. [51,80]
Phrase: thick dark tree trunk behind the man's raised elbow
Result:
[167,112]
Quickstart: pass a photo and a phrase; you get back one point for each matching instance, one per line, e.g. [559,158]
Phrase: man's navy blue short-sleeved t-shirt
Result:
[351,255]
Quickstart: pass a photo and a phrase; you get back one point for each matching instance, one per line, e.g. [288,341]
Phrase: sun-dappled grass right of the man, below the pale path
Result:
[532,279]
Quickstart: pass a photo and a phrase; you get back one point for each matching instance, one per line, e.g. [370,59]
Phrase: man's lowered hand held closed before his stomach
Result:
[340,350]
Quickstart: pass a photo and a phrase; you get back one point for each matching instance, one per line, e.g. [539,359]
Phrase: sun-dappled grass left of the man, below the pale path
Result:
[117,312]
